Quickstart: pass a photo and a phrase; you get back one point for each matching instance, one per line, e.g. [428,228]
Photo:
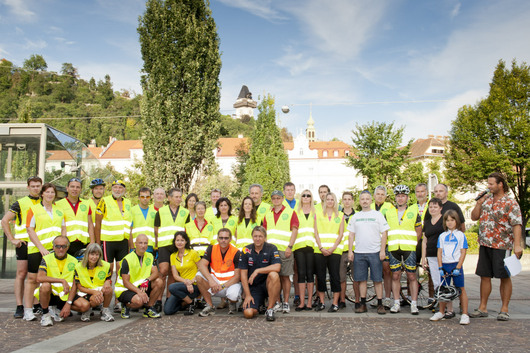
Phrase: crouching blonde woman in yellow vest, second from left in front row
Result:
[94,283]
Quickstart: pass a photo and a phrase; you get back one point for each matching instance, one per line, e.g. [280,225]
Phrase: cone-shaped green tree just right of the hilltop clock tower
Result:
[267,163]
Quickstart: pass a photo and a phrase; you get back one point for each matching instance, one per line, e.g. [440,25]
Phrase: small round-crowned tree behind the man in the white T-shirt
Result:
[377,153]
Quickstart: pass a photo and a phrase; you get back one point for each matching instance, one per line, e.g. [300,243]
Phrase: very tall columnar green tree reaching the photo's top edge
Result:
[180,109]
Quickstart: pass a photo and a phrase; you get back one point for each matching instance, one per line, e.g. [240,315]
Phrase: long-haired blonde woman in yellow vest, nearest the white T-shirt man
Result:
[329,228]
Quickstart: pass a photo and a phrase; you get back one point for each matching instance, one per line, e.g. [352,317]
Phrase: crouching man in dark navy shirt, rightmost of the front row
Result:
[260,267]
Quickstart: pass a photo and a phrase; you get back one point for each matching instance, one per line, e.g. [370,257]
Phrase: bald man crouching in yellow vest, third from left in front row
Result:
[138,283]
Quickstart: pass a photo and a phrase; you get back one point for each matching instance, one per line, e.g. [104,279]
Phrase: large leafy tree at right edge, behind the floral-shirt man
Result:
[494,135]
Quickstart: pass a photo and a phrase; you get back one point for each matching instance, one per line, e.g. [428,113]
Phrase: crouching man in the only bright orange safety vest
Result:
[223,278]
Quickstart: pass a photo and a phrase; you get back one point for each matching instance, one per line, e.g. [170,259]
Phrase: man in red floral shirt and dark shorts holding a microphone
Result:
[500,231]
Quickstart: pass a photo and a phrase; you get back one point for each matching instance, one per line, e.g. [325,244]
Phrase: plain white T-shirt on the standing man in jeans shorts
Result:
[368,226]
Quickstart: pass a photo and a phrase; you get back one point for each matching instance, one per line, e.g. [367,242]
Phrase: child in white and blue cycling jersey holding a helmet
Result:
[452,246]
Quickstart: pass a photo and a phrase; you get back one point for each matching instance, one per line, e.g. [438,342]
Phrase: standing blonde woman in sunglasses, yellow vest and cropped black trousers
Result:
[304,253]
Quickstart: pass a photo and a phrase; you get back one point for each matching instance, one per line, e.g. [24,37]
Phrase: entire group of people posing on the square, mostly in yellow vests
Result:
[192,252]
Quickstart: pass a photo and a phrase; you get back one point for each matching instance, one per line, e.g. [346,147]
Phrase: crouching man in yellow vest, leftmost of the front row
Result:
[58,290]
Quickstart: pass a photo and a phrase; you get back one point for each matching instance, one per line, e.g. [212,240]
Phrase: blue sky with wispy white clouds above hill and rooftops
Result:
[411,62]
